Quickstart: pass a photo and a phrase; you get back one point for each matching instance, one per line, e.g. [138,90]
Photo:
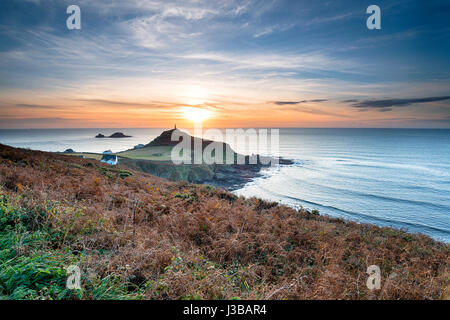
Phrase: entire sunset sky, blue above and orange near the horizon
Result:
[235,64]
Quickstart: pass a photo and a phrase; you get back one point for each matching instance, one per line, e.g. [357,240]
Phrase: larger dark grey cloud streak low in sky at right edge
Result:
[386,105]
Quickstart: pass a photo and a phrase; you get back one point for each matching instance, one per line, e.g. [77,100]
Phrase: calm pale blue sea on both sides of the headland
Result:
[388,177]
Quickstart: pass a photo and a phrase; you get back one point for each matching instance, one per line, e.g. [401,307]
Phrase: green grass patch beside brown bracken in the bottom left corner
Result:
[33,261]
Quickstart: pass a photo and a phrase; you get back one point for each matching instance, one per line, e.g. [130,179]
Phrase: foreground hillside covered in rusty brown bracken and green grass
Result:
[136,236]
